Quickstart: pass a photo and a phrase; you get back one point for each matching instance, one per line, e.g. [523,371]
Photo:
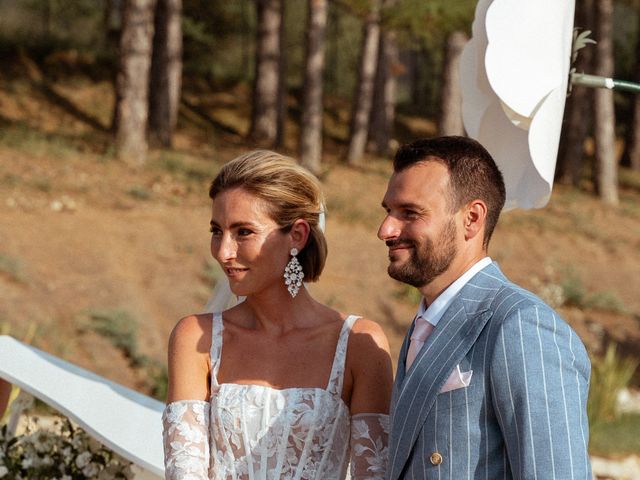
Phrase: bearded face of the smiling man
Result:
[420,226]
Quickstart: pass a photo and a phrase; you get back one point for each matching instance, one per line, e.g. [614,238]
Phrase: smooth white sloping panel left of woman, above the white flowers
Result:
[122,419]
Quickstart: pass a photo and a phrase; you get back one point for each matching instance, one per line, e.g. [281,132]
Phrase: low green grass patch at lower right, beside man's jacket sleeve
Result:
[617,437]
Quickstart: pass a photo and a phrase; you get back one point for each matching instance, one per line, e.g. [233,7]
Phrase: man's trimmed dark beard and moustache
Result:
[428,260]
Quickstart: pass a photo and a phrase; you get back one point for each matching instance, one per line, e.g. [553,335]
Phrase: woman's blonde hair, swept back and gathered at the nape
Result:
[289,192]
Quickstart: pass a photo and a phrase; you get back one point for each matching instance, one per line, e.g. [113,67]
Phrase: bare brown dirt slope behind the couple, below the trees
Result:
[84,236]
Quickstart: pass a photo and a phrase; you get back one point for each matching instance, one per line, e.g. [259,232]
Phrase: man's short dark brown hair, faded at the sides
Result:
[472,171]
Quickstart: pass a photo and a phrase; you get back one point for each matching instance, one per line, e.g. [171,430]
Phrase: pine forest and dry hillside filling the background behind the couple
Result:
[115,115]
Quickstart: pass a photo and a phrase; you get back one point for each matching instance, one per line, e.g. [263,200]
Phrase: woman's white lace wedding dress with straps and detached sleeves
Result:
[252,432]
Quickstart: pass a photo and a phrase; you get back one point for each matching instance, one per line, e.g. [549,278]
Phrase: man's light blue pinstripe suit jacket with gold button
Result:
[524,413]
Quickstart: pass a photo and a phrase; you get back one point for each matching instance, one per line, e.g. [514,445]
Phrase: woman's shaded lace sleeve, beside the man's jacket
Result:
[369,446]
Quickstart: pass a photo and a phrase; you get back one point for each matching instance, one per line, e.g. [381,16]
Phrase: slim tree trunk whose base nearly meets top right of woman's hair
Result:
[311,127]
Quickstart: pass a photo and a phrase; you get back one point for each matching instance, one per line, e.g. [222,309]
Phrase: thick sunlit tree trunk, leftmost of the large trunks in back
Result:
[133,80]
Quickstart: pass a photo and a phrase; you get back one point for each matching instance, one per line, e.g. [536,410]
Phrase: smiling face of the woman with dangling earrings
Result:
[247,242]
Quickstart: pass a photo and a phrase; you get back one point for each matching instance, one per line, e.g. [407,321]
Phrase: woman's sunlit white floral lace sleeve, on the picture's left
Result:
[186,440]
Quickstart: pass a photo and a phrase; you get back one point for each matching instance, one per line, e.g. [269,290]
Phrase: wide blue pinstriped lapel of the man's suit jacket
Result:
[415,392]
